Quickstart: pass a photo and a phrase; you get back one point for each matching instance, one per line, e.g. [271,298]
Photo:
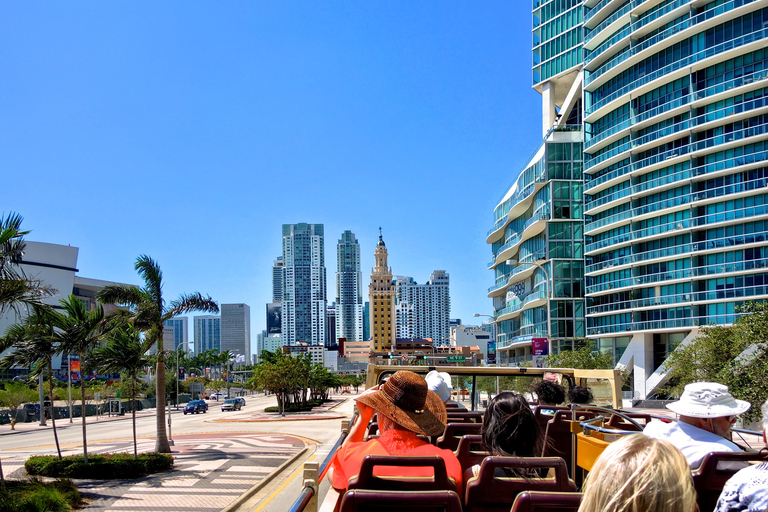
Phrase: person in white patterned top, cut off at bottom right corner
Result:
[747,490]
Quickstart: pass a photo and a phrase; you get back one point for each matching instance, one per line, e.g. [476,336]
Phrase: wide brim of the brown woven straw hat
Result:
[430,422]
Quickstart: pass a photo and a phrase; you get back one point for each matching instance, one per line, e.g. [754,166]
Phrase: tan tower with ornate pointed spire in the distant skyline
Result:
[381,296]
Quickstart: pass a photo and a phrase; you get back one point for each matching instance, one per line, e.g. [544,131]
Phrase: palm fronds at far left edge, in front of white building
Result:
[15,288]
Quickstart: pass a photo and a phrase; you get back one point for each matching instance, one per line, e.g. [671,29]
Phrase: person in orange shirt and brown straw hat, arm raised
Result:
[405,408]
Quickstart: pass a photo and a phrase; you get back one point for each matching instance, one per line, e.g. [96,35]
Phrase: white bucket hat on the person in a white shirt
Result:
[708,400]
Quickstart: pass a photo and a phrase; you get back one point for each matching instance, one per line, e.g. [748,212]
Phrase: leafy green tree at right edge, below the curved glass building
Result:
[736,356]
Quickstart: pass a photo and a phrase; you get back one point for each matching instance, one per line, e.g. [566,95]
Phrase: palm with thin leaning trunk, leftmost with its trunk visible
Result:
[34,345]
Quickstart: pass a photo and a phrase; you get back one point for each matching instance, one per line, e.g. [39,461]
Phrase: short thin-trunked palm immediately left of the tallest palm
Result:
[124,351]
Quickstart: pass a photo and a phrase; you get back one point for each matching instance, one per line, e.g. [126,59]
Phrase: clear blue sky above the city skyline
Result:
[191,131]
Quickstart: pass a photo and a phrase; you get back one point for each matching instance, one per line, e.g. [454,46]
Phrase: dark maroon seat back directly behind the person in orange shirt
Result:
[402,473]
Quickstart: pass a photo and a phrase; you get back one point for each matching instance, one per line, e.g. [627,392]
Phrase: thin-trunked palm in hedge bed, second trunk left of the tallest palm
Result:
[78,331]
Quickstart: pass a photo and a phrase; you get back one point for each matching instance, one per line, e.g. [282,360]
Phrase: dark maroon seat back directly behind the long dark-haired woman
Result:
[494,491]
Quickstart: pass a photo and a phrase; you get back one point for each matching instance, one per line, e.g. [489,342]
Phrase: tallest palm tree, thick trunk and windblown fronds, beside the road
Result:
[148,312]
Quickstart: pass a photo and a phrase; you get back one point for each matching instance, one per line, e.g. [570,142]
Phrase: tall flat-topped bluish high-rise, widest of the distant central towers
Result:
[304,284]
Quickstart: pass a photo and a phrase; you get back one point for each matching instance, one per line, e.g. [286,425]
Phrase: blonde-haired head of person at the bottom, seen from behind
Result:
[639,474]
